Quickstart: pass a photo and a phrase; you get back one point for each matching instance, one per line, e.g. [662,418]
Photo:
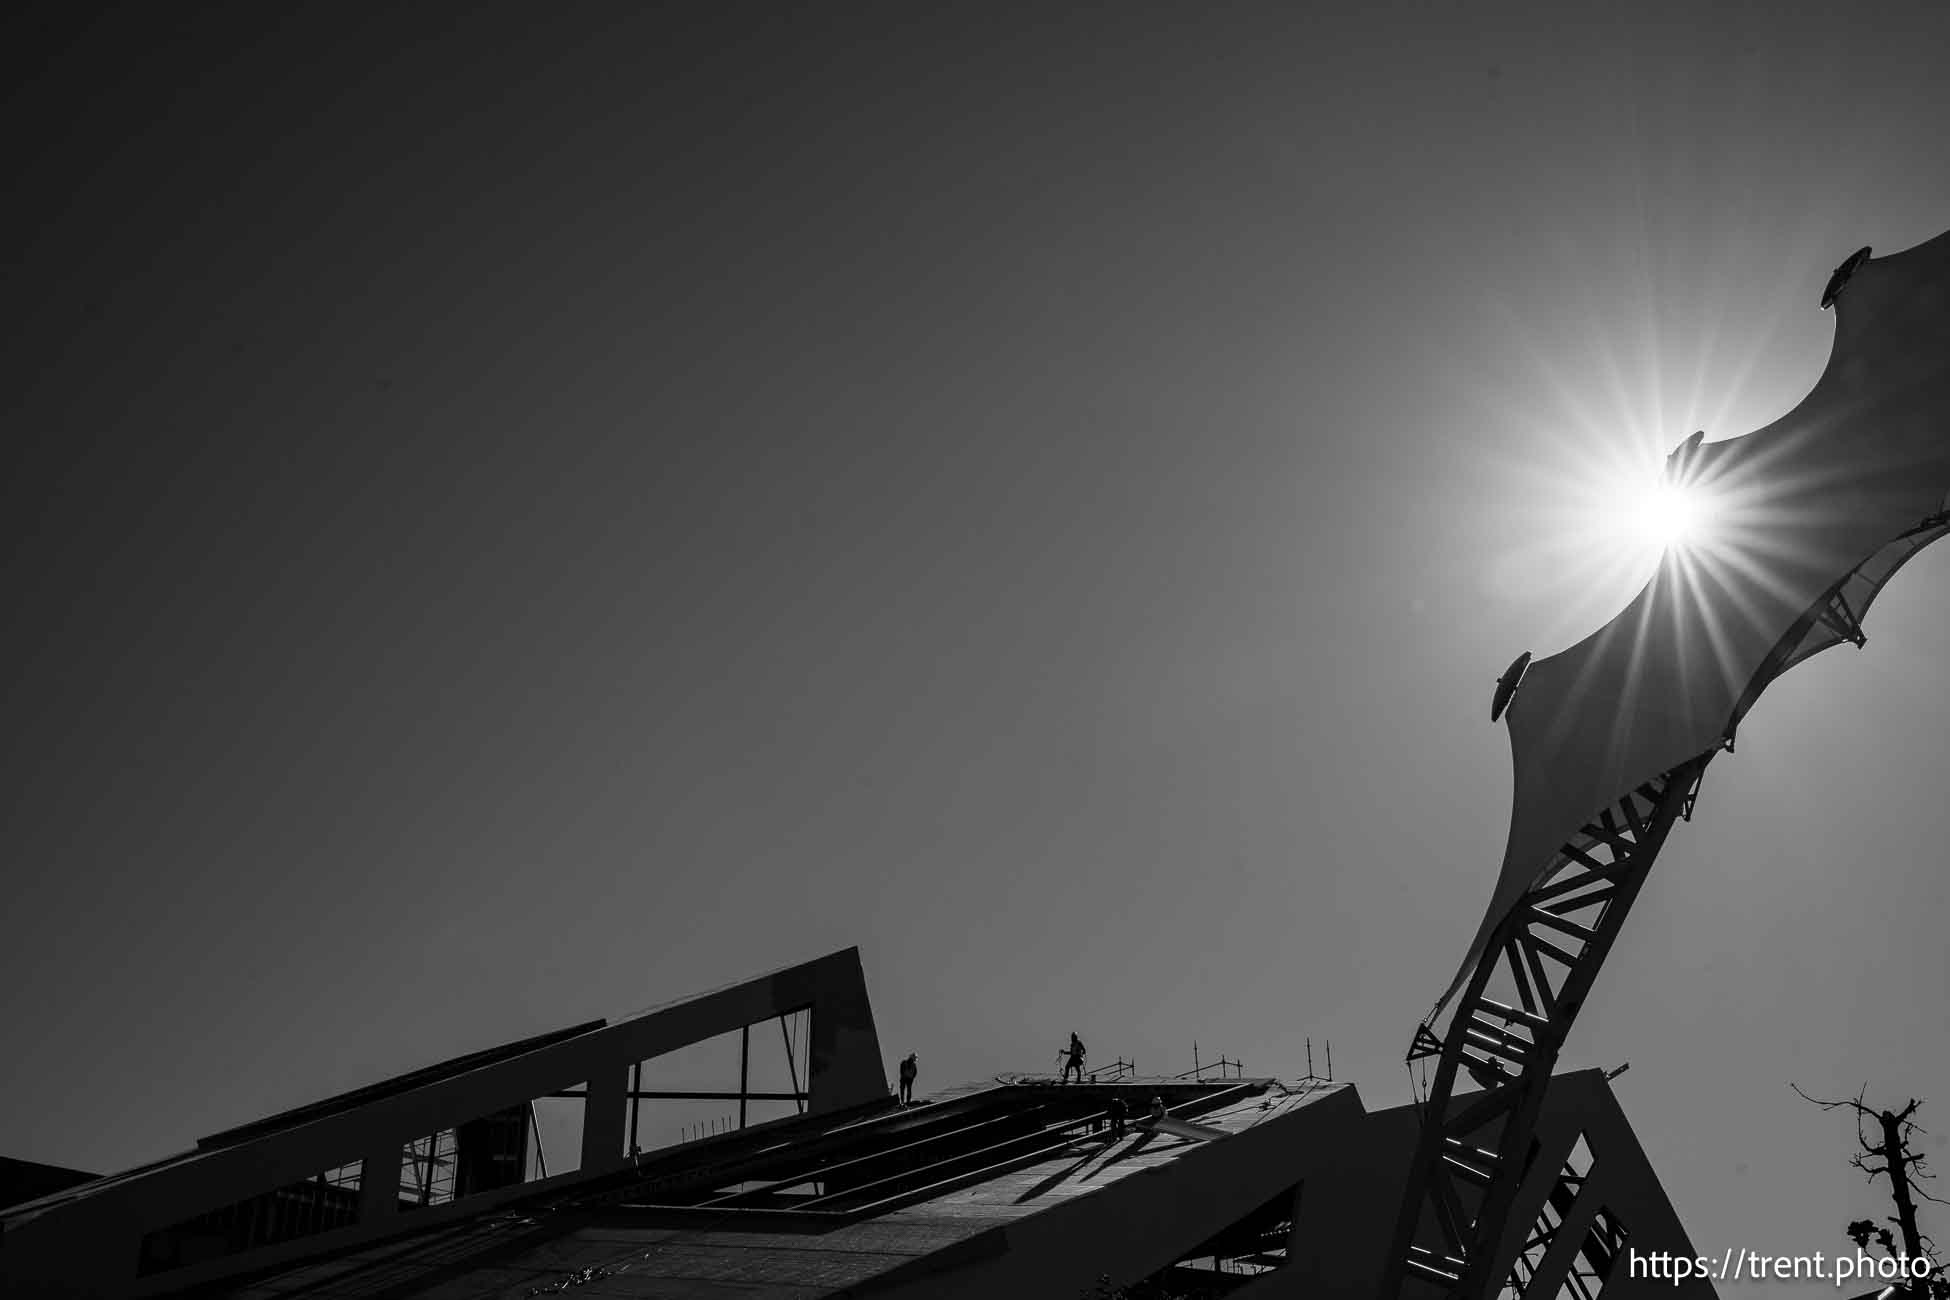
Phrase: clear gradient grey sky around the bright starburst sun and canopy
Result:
[520,514]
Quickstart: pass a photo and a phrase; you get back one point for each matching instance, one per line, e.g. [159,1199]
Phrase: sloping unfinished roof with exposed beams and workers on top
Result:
[878,1200]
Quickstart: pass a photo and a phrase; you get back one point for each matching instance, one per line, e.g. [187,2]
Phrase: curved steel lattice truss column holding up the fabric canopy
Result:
[1547,950]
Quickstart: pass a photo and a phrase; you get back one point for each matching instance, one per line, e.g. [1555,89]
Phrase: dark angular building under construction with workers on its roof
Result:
[449,1182]
